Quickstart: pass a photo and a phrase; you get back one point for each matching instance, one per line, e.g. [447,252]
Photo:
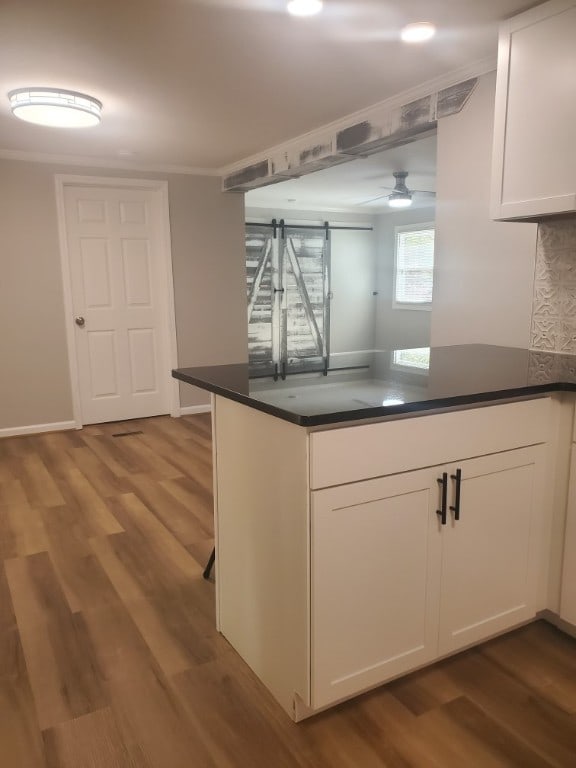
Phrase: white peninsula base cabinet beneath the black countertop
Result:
[334,570]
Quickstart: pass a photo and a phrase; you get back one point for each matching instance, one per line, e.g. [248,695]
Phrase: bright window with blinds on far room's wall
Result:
[414,266]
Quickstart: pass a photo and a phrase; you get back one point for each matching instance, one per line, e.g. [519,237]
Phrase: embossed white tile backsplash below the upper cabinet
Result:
[554,307]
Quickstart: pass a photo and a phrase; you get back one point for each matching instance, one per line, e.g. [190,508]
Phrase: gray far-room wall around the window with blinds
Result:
[398,328]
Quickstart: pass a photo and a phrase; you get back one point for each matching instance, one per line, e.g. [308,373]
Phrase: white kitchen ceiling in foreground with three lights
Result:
[205,83]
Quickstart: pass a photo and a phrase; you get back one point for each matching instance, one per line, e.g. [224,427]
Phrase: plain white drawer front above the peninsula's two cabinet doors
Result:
[349,454]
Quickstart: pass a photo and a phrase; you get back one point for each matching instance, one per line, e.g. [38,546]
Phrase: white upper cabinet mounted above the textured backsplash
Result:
[534,161]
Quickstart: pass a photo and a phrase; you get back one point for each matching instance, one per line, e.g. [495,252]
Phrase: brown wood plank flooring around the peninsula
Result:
[109,657]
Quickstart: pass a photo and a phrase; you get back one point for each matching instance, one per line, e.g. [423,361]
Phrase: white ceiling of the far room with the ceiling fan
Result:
[353,186]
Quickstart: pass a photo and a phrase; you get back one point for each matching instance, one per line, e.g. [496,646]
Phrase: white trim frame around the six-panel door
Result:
[160,188]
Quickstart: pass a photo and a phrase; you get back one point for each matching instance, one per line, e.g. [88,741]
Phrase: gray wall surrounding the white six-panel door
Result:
[209,279]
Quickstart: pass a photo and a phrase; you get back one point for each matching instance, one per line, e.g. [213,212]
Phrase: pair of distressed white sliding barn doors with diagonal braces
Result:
[288,298]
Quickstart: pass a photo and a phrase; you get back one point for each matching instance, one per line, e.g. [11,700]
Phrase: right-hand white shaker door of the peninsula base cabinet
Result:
[491,555]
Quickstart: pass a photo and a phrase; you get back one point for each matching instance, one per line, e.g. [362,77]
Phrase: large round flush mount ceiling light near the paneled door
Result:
[55,107]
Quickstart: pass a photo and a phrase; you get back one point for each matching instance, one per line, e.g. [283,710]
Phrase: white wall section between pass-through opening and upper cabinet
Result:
[484,269]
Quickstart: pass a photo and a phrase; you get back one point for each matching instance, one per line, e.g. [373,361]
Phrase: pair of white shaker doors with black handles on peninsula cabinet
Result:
[393,587]
